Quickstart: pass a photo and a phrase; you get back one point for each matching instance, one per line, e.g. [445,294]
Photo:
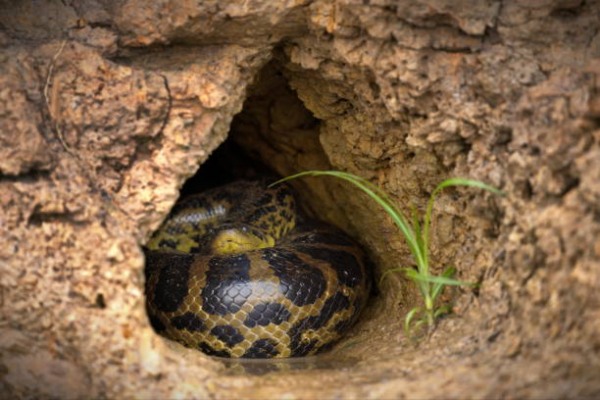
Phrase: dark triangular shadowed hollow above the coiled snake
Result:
[272,127]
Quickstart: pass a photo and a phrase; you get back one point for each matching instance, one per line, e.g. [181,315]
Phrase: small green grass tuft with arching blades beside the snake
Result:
[416,234]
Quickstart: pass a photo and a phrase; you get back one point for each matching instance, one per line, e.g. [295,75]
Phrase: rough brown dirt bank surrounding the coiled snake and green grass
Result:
[108,107]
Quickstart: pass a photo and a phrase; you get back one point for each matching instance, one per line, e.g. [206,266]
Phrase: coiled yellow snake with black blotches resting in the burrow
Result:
[237,271]
